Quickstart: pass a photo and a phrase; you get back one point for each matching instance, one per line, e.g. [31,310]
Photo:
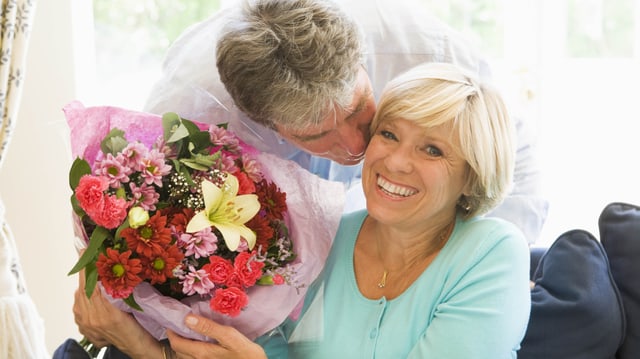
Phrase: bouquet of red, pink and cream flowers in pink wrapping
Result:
[179,216]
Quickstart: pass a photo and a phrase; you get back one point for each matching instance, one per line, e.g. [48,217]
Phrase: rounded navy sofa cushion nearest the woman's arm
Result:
[576,310]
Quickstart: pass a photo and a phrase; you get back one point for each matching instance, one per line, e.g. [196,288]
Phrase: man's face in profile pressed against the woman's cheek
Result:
[342,137]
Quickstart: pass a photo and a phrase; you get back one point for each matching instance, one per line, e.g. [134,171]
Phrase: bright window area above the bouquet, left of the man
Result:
[131,38]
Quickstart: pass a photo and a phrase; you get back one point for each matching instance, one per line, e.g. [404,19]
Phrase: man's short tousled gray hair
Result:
[290,62]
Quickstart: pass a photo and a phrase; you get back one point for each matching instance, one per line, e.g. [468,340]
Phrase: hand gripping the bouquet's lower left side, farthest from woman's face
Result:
[103,324]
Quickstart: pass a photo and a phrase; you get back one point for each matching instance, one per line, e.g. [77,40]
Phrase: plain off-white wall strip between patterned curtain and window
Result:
[33,179]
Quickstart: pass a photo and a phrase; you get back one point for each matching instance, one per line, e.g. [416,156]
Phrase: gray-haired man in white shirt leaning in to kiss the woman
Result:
[300,78]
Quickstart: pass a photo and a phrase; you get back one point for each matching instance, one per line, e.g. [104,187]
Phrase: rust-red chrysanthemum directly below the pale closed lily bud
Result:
[149,239]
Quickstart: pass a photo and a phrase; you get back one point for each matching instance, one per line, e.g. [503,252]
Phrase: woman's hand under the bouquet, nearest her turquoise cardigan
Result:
[231,343]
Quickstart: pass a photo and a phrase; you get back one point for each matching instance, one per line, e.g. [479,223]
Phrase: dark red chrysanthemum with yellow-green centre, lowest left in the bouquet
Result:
[118,272]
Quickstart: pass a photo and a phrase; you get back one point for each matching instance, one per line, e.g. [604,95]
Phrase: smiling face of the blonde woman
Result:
[413,175]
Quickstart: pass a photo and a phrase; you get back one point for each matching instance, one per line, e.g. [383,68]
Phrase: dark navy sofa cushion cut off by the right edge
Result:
[619,226]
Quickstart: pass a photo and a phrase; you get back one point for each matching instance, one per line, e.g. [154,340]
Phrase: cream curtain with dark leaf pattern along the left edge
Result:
[21,327]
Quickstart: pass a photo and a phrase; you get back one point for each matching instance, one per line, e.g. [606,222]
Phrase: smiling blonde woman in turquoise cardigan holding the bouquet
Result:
[420,273]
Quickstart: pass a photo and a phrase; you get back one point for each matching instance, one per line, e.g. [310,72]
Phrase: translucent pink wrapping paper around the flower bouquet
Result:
[311,218]
